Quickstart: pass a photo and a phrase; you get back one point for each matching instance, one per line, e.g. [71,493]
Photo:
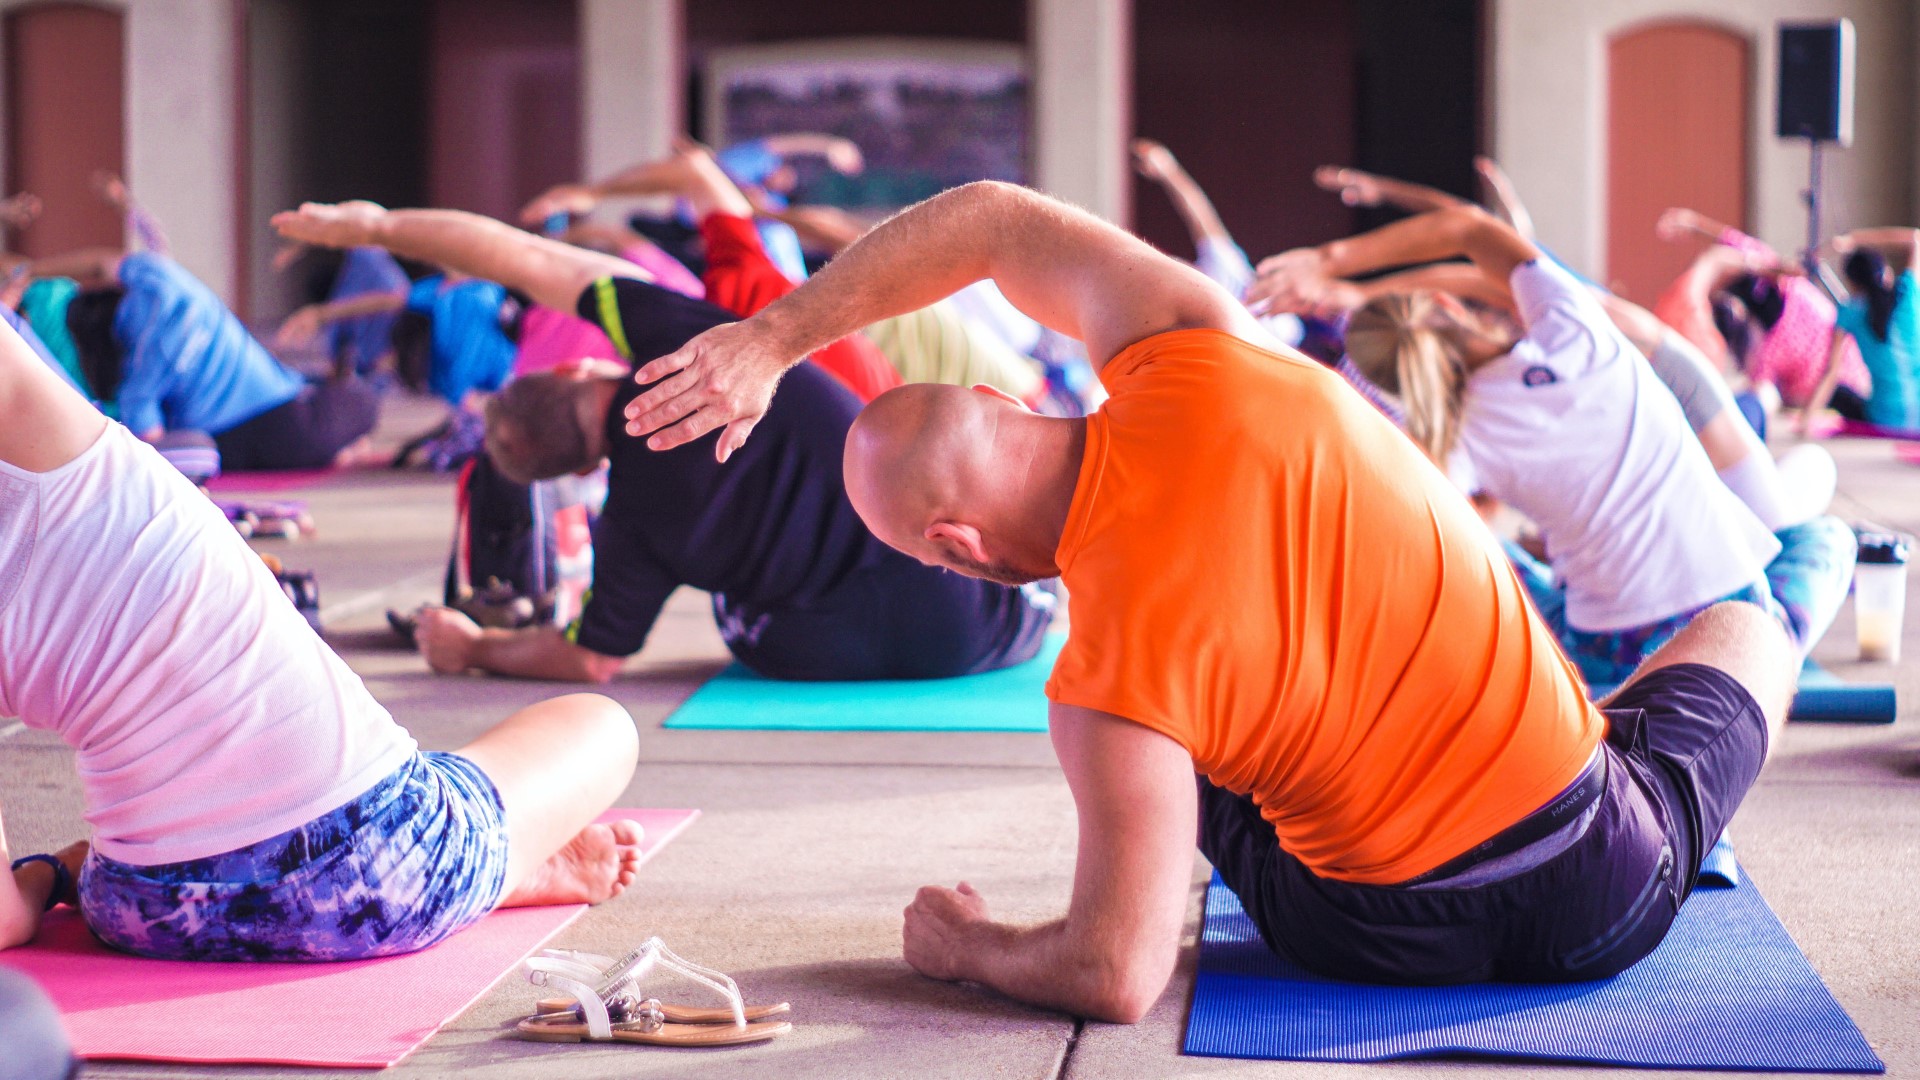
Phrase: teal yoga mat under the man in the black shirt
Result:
[1009,700]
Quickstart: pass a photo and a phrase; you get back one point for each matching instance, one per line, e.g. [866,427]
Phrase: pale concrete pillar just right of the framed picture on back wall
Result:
[1084,103]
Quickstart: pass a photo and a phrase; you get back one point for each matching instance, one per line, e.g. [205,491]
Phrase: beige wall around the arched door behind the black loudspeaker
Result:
[1548,103]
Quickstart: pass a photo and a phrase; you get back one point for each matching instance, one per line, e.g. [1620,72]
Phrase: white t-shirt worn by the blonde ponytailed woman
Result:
[1577,431]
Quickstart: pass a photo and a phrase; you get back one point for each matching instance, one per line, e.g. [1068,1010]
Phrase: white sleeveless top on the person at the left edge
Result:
[139,627]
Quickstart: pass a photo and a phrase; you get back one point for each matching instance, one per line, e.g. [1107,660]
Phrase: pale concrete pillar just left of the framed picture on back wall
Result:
[633,82]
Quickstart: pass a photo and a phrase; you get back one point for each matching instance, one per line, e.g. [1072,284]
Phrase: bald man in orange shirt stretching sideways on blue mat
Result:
[1399,772]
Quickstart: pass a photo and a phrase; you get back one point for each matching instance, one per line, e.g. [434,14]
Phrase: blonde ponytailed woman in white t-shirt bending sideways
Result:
[1570,426]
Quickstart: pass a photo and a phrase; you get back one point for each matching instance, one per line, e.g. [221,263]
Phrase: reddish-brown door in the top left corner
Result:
[64,120]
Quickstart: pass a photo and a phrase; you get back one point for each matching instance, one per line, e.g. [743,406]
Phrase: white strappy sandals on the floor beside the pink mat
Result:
[608,1006]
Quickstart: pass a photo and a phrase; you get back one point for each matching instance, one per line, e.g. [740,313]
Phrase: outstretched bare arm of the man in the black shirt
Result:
[548,272]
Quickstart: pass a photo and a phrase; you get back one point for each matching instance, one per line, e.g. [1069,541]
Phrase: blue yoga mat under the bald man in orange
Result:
[1727,991]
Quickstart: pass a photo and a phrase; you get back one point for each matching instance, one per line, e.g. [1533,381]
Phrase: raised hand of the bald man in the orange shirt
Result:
[723,380]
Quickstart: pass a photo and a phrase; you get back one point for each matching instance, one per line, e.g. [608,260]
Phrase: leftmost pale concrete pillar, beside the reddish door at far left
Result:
[181,134]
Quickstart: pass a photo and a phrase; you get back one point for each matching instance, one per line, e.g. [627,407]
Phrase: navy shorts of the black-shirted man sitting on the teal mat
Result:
[894,620]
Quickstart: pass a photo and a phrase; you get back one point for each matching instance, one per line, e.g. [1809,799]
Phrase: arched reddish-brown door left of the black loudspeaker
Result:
[1677,135]
